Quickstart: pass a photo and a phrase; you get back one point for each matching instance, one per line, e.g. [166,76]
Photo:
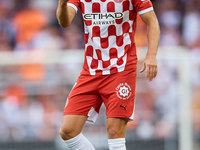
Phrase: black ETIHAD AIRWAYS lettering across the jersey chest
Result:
[103,18]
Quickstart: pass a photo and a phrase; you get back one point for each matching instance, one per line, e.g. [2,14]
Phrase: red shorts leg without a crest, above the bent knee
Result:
[84,97]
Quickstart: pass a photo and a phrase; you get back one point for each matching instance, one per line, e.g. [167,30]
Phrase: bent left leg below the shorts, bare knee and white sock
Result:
[70,132]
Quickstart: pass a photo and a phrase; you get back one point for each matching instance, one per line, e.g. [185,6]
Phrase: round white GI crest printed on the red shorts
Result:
[123,91]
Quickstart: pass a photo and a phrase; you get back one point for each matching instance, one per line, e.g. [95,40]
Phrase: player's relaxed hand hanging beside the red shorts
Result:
[150,64]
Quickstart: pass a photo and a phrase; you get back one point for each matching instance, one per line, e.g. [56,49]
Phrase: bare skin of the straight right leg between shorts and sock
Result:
[116,127]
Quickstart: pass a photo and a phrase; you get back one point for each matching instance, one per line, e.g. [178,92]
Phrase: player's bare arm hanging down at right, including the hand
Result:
[153,36]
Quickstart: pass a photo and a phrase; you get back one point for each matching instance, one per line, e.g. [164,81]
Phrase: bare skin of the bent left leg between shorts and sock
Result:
[72,125]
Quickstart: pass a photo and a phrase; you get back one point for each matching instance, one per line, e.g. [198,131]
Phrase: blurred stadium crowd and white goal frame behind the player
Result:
[40,62]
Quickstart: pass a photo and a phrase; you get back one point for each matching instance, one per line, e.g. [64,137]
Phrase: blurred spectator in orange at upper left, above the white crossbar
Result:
[27,23]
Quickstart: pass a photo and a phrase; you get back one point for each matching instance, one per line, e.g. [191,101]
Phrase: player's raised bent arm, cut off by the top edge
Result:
[65,13]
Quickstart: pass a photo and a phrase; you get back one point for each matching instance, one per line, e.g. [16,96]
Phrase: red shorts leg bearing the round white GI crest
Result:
[118,94]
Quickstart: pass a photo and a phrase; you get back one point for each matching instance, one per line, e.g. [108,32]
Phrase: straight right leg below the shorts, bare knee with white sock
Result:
[116,128]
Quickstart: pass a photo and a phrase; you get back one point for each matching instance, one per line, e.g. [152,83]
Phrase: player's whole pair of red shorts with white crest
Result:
[116,91]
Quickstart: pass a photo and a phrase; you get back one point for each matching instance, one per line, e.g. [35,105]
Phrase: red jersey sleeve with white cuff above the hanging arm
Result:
[142,6]
